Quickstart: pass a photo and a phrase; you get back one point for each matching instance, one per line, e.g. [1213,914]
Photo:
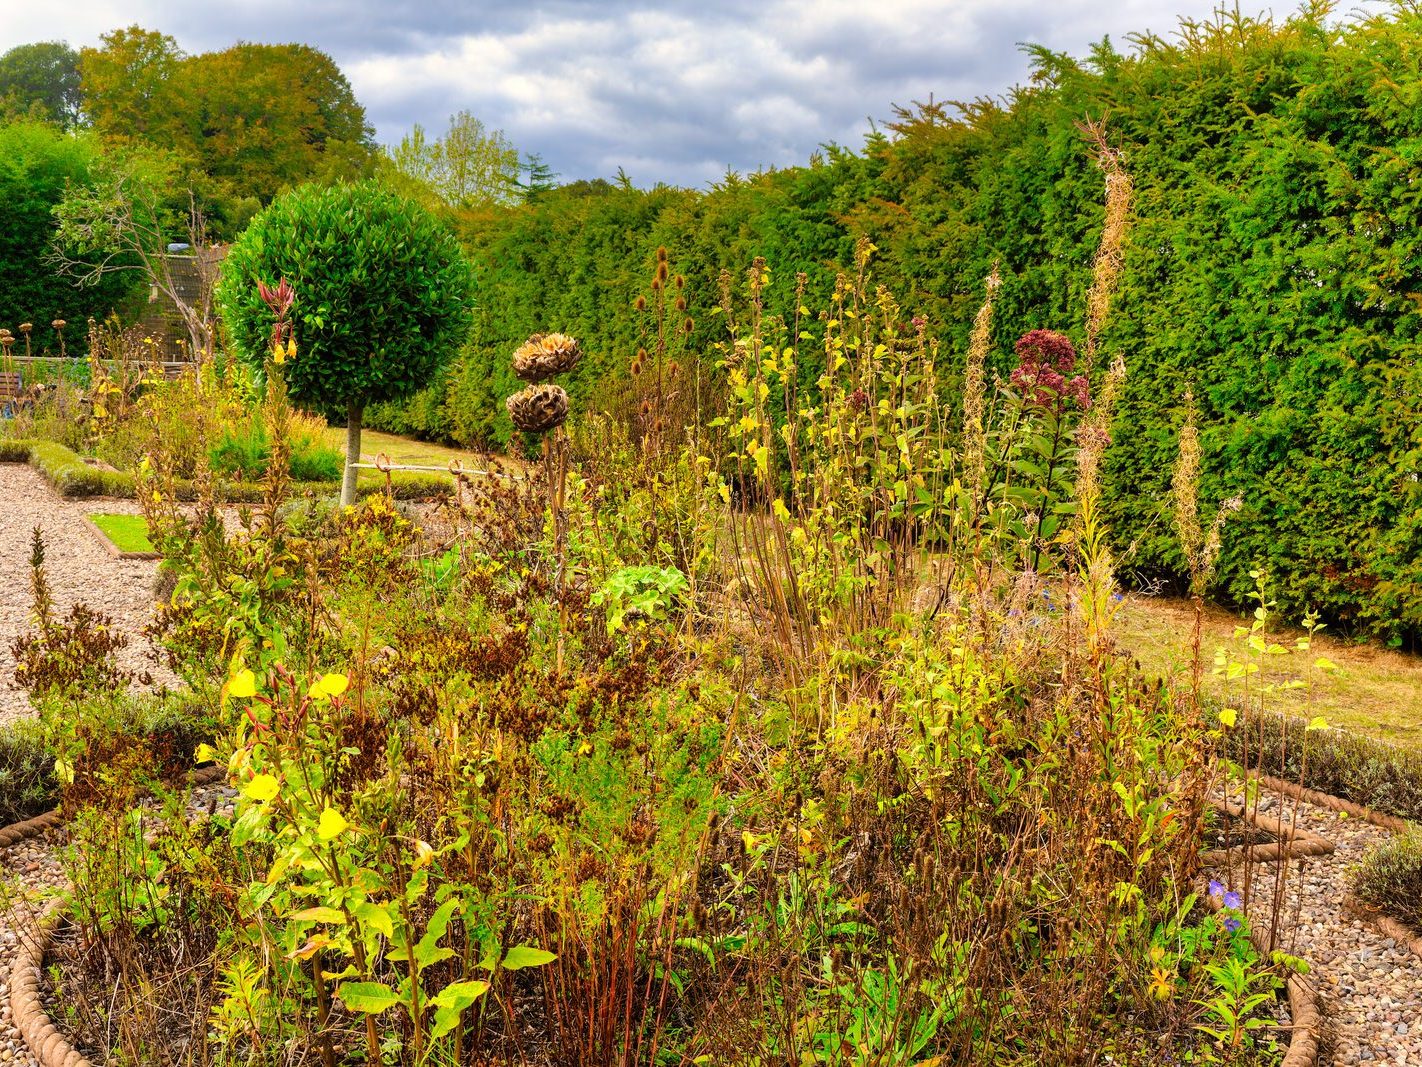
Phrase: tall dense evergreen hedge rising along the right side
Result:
[1275,265]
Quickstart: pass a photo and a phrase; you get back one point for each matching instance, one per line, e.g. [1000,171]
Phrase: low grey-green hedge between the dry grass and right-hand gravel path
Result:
[1377,775]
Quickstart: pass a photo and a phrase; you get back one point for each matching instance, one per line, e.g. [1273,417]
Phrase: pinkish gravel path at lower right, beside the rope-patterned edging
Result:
[1372,985]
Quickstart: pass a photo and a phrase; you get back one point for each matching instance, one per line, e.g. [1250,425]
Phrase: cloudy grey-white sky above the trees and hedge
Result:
[673,92]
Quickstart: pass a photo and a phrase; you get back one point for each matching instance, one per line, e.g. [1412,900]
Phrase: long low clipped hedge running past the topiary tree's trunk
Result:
[75,479]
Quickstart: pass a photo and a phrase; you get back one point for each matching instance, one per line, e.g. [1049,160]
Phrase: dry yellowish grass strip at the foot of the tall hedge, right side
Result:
[1374,692]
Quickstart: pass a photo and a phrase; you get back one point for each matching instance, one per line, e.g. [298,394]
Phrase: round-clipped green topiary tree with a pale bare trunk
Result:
[382,291]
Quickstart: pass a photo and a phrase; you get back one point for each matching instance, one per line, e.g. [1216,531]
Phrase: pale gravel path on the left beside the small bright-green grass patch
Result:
[79,568]
